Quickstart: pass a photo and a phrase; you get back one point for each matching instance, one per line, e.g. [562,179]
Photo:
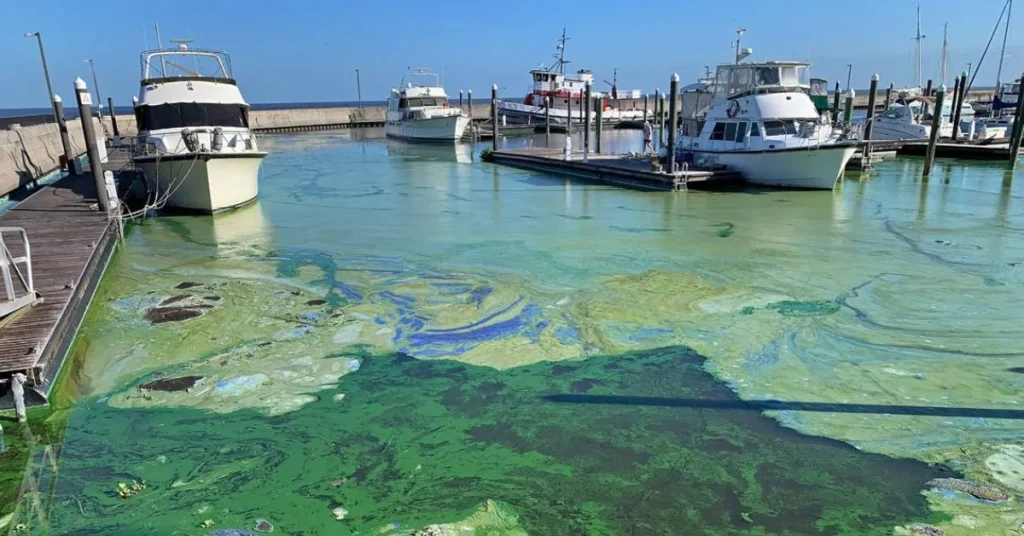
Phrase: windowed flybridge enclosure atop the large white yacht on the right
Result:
[733,80]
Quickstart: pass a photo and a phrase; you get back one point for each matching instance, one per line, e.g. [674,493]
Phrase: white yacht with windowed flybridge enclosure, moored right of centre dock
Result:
[763,125]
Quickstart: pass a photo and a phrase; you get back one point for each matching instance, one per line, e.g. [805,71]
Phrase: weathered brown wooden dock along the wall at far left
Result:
[71,243]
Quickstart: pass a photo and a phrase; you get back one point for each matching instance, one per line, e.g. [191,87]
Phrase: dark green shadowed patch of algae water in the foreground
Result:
[416,442]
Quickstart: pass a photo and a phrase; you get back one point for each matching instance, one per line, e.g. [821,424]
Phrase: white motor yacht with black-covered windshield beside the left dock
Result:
[196,149]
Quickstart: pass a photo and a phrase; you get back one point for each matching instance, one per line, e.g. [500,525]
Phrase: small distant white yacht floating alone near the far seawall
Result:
[422,112]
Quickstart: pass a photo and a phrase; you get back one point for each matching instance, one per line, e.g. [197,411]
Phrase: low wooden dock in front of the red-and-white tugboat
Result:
[614,170]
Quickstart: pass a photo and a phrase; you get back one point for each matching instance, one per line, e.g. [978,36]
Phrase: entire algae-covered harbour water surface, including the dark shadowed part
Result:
[398,337]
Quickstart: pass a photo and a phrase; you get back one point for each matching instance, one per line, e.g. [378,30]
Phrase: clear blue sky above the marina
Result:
[307,52]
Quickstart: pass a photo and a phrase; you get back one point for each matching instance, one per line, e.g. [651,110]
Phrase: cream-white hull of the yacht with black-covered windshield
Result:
[204,184]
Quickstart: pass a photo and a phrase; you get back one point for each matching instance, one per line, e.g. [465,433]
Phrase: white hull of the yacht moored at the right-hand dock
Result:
[818,169]
